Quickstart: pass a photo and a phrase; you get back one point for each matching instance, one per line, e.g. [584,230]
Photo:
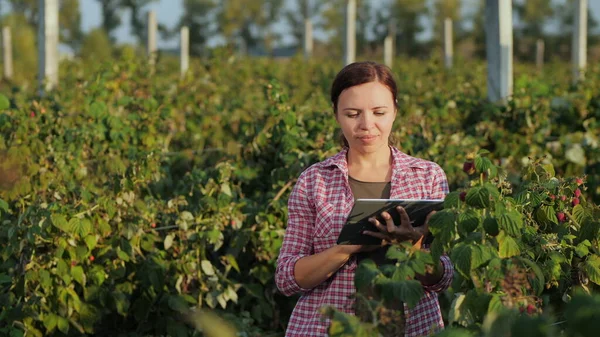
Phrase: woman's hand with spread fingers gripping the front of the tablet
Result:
[391,232]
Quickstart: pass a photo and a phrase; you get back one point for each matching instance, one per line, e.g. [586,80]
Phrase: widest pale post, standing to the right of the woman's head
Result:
[499,49]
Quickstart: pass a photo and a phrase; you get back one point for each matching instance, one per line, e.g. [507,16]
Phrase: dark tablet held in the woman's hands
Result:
[363,209]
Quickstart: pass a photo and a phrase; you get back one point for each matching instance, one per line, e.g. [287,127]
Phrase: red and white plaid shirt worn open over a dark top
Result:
[317,209]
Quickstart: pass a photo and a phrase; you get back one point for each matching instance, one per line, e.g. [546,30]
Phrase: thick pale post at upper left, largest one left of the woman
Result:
[48,45]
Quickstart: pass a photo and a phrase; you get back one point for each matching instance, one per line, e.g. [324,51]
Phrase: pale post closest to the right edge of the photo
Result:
[579,49]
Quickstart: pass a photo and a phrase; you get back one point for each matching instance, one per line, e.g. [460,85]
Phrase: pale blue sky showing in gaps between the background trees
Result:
[168,13]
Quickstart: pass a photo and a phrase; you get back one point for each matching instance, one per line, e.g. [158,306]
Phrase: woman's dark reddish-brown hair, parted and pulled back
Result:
[360,73]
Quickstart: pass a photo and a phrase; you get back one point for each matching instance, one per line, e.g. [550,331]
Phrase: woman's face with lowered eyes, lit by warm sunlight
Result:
[366,114]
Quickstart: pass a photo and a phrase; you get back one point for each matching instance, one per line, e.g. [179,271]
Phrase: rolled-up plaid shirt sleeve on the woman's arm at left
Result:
[297,241]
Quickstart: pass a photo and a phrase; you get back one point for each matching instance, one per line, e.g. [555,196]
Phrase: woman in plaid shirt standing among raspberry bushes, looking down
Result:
[364,102]
